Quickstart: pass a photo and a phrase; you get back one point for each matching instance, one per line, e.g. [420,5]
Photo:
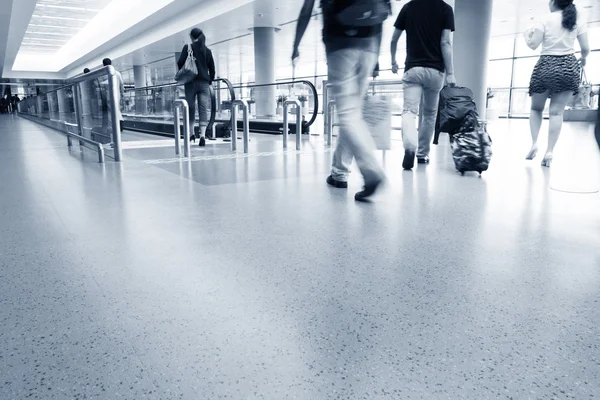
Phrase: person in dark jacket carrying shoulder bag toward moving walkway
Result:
[199,88]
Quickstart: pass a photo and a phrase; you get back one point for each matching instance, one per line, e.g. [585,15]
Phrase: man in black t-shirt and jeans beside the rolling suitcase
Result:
[428,25]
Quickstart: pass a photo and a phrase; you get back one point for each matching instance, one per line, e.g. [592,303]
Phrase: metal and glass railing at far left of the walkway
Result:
[58,101]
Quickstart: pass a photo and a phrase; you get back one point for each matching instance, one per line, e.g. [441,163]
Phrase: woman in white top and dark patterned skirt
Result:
[557,74]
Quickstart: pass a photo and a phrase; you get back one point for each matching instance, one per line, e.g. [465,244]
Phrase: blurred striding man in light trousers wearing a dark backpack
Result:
[352,53]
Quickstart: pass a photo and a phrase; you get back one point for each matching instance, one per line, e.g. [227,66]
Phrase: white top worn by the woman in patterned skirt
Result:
[555,40]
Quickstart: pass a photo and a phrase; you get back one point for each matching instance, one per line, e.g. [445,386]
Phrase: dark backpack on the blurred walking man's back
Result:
[357,13]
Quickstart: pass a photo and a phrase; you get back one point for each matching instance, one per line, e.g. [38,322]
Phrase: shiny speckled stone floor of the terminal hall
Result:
[246,277]
